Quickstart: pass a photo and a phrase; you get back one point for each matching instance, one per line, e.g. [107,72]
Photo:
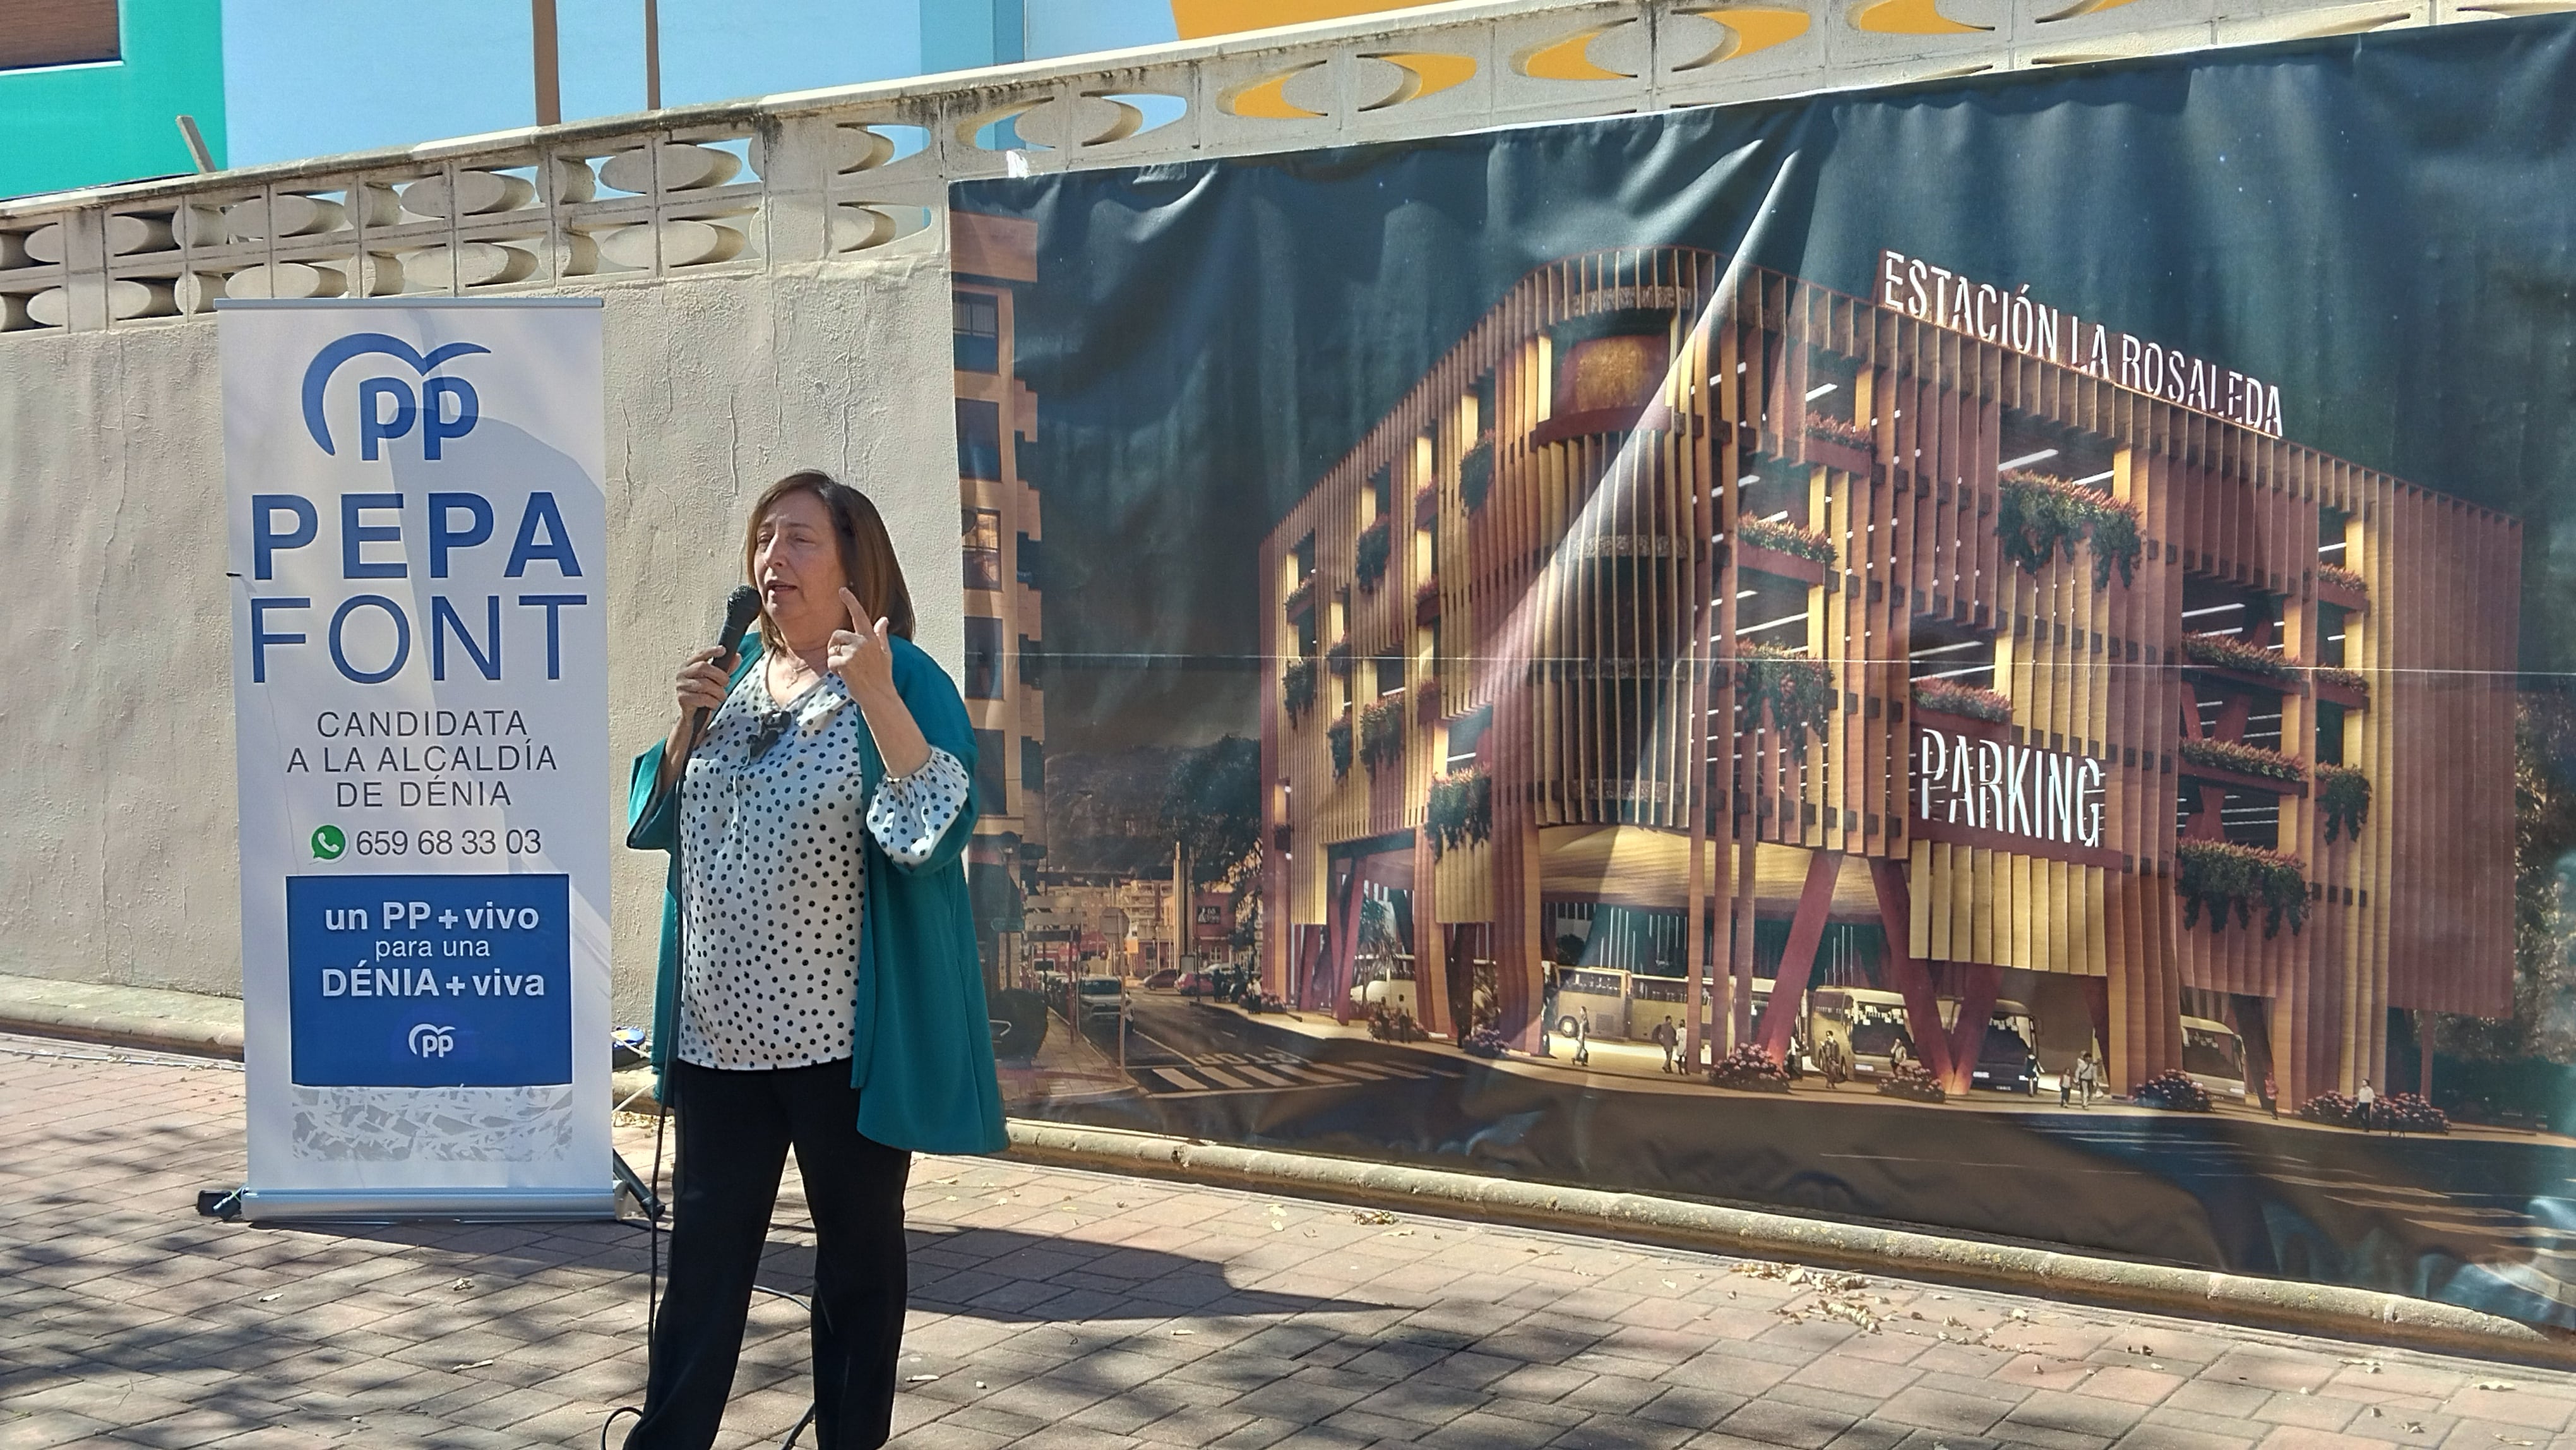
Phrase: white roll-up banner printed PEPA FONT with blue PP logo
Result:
[421,710]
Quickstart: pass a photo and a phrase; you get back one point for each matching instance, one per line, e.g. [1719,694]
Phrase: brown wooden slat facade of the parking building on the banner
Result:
[1578,627]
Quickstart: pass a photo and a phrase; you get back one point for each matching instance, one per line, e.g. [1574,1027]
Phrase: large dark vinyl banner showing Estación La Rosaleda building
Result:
[1982,655]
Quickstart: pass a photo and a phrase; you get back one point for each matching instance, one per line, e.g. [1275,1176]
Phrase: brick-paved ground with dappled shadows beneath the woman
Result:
[1063,1310]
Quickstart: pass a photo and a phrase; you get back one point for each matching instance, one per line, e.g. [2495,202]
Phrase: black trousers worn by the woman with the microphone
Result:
[735,1132]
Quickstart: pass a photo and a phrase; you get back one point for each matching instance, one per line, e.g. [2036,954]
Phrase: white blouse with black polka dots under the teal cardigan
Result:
[774,877]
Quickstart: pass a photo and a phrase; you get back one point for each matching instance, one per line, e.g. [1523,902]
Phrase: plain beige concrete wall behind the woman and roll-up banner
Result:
[117,807]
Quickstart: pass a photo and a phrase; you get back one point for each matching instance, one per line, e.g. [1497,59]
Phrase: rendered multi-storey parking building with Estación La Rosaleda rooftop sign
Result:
[1938,643]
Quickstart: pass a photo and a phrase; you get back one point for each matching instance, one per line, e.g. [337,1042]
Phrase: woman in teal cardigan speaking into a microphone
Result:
[820,983]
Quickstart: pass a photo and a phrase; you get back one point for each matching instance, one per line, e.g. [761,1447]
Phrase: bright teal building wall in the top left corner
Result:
[89,125]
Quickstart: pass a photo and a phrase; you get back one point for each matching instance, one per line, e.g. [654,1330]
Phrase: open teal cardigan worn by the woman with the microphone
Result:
[921,1044]
